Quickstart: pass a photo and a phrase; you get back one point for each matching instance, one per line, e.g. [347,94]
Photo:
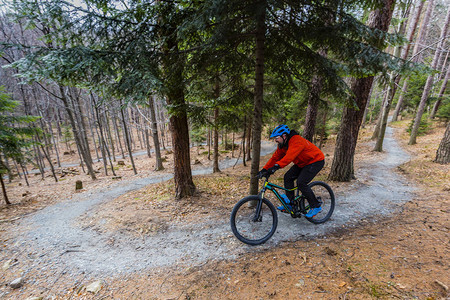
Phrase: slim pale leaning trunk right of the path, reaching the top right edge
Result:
[429,84]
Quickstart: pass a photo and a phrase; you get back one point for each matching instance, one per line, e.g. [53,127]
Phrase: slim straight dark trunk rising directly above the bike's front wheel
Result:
[259,93]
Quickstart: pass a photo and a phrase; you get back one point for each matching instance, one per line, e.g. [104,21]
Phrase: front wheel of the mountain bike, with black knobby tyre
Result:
[249,226]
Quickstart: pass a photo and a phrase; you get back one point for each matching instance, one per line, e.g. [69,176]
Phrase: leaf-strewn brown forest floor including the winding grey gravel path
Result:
[128,239]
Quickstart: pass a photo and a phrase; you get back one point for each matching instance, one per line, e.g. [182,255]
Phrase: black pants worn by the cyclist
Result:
[304,176]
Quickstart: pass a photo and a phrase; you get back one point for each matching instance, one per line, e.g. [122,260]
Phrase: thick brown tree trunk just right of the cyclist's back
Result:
[342,168]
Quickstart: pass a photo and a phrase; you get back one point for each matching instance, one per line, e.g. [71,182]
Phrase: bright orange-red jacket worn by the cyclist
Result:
[299,150]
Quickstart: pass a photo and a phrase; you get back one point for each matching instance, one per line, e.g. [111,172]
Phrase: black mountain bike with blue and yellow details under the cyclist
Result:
[254,219]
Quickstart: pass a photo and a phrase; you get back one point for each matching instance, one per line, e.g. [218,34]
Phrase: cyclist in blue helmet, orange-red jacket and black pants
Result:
[308,160]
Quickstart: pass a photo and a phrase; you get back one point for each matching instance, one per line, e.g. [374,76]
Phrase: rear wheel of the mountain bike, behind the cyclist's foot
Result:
[325,196]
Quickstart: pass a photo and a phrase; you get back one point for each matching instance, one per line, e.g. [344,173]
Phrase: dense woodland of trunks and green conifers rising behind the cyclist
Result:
[103,79]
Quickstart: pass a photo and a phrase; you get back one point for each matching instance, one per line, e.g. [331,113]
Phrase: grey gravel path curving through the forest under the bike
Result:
[55,235]
